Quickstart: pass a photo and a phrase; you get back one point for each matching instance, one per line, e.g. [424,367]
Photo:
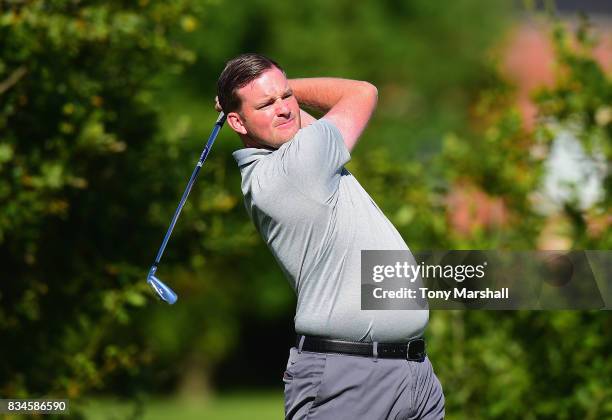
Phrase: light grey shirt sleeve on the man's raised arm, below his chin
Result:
[315,158]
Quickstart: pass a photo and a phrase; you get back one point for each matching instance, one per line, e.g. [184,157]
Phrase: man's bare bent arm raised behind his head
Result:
[349,104]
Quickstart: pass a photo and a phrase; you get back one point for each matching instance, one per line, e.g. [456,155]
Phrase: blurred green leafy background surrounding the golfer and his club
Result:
[493,131]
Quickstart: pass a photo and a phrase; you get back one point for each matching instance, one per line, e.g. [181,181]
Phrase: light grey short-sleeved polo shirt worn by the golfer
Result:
[316,218]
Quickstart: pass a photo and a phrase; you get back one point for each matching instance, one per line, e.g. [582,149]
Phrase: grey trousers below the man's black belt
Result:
[335,386]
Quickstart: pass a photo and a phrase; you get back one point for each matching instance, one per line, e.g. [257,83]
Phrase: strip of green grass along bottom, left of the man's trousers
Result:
[246,405]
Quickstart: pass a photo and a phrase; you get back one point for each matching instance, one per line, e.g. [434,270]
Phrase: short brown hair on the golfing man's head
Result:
[239,72]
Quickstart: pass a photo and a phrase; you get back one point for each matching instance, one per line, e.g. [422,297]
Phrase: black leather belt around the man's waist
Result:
[413,350]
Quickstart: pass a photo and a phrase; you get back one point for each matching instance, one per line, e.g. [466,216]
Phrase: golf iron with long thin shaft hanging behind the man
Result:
[164,292]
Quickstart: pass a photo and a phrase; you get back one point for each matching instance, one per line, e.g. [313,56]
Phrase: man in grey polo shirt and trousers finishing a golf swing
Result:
[316,218]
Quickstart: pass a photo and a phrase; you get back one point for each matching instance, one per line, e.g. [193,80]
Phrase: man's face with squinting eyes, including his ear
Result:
[270,114]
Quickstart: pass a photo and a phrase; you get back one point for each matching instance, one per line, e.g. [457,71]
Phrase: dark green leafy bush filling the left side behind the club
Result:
[78,171]
